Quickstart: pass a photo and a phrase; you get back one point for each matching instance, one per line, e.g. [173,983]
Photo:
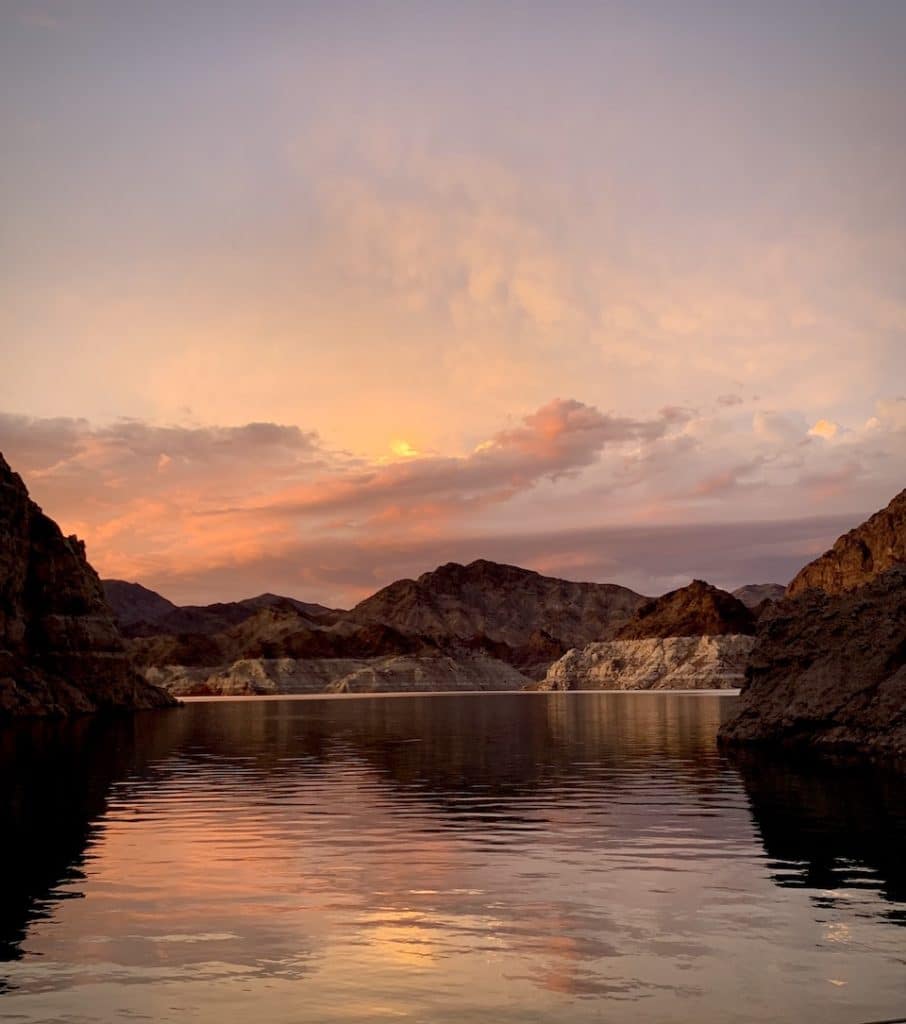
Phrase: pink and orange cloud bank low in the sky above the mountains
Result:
[731,494]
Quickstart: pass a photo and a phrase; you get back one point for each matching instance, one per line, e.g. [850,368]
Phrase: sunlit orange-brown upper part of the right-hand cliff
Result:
[878,545]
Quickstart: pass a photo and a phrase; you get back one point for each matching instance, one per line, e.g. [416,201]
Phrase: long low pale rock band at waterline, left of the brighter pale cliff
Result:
[395,674]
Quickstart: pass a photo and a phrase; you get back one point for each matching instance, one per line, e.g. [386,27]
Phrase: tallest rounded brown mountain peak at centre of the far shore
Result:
[501,603]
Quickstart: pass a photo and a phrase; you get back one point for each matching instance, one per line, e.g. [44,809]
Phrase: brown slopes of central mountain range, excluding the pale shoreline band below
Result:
[515,617]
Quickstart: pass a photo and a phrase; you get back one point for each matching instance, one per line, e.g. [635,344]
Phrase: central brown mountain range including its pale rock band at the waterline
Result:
[502,624]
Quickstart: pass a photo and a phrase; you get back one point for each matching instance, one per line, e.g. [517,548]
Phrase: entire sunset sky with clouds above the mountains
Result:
[307,297]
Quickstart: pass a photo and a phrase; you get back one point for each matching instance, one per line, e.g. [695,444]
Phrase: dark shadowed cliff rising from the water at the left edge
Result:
[61,652]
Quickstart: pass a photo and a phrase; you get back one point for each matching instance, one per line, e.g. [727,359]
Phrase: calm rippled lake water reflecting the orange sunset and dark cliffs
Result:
[517,858]
